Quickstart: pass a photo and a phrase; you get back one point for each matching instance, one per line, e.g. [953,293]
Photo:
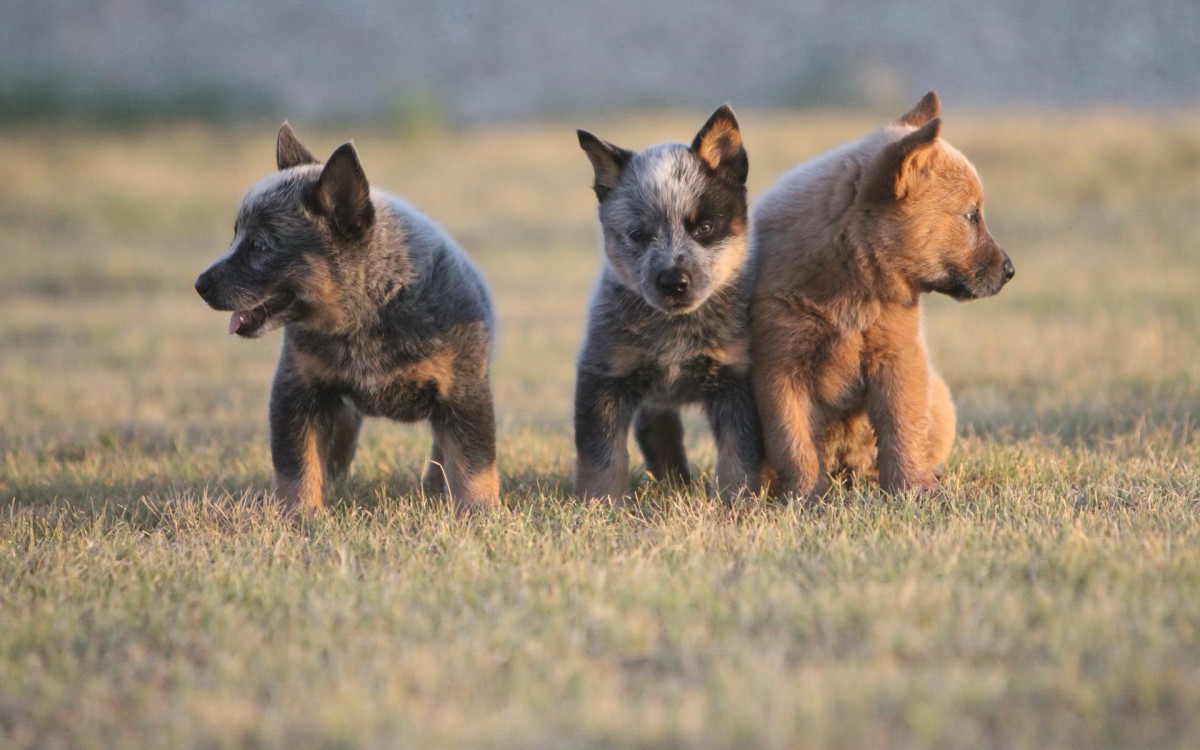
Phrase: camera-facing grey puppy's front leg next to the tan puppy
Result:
[737,433]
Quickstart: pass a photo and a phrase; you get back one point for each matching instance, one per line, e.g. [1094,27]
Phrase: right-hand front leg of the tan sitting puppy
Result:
[898,401]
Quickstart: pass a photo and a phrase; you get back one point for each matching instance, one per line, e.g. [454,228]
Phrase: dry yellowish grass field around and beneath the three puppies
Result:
[148,598]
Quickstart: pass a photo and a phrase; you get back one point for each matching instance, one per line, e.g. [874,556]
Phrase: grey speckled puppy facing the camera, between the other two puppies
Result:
[669,319]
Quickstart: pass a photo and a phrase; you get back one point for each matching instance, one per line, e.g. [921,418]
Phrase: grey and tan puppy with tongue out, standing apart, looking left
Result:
[382,315]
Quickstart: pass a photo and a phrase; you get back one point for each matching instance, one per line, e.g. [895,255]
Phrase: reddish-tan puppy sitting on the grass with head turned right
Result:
[844,248]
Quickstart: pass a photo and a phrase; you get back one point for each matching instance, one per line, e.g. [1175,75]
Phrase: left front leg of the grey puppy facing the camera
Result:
[604,409]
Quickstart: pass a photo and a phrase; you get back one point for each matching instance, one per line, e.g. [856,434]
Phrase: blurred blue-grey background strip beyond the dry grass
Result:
[473,61]
